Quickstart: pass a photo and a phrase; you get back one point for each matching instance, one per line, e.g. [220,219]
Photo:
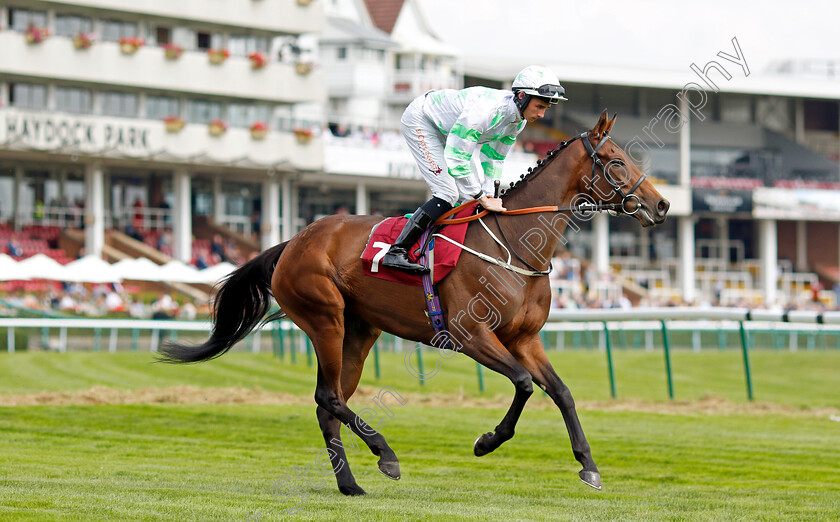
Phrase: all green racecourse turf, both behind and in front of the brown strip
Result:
[219,462]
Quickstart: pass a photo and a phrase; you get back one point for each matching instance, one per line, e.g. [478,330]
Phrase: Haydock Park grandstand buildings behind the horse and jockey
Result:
[120,147]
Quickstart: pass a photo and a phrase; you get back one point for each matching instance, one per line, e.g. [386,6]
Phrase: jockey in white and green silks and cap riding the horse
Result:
[445,128]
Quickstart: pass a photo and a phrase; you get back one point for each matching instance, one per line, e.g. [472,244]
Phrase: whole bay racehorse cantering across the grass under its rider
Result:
[317,279]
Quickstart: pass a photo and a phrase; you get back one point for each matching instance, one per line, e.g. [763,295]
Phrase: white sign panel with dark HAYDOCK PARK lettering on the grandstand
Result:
[50,131]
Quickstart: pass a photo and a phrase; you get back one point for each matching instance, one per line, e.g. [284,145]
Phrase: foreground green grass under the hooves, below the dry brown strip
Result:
[220,462]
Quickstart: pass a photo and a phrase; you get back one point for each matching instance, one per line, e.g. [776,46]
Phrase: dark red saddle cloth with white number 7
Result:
[384,234]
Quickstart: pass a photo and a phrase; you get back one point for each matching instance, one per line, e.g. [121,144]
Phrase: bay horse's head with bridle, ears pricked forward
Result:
[615,182]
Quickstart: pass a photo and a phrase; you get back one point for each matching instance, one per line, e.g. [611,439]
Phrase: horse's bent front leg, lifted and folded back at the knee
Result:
[488,351]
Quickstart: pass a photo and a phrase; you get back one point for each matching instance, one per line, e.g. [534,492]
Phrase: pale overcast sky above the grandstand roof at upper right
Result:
[651,34]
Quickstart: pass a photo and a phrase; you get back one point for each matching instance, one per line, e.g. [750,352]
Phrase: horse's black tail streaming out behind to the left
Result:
[242,300]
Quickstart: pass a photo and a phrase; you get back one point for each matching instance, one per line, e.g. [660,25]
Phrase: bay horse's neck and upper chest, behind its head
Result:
[555,185]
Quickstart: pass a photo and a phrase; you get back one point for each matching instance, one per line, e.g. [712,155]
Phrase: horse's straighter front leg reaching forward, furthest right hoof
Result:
[530,353]
